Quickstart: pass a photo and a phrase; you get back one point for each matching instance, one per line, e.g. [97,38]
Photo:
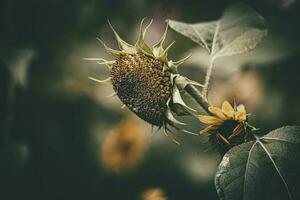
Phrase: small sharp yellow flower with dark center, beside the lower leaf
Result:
[227,122]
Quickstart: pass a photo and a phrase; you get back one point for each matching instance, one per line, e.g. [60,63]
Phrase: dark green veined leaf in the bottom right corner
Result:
[268,168]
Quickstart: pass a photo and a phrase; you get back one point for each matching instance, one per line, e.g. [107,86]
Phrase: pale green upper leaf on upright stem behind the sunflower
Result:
[238,31]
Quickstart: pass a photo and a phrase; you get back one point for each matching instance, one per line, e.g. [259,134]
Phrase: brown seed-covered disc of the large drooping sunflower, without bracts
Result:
[142,85]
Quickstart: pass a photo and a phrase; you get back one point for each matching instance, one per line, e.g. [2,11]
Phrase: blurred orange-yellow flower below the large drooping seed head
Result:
[123,147]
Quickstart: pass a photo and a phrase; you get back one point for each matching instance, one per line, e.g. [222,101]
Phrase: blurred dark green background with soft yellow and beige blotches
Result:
[55,123]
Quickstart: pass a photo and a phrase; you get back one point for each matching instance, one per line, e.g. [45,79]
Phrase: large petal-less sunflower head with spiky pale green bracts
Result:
[146,81]
